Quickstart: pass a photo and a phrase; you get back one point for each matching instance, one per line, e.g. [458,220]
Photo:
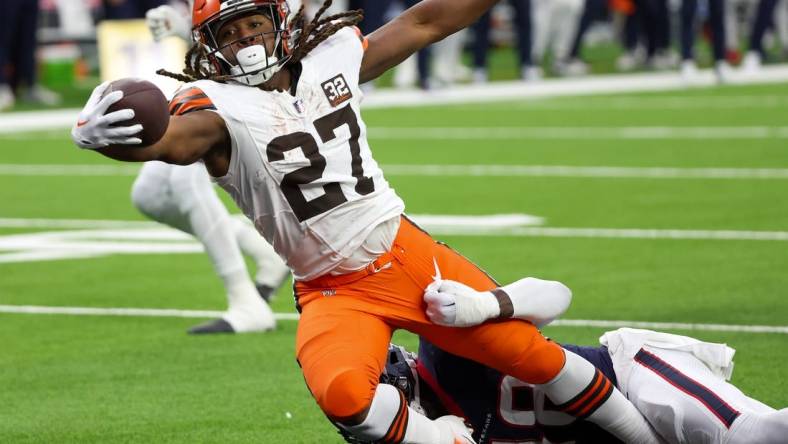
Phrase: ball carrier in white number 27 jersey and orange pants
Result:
[273,110]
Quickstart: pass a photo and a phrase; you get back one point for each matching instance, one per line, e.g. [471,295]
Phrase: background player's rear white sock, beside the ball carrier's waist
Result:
[271,269]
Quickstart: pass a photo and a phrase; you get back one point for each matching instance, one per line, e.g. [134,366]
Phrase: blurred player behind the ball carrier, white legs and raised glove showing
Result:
[184,198]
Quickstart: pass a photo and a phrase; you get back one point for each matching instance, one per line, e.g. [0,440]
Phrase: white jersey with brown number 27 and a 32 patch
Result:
[301,168]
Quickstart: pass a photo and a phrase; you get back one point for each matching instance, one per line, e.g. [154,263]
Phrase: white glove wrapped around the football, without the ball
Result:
[93,129]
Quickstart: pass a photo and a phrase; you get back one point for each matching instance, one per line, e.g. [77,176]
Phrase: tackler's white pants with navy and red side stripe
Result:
[680,386]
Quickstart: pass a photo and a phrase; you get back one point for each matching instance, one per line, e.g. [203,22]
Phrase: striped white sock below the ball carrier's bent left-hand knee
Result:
[390,420]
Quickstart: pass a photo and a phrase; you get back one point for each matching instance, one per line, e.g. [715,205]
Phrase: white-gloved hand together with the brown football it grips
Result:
[123,112]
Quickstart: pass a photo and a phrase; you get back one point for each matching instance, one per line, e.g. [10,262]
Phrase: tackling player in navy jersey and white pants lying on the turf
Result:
[678,383]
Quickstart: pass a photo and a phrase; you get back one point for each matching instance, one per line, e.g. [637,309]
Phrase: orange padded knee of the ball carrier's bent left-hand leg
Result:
[347,394]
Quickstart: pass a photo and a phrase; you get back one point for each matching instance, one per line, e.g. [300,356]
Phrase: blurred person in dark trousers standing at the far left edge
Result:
[18,25]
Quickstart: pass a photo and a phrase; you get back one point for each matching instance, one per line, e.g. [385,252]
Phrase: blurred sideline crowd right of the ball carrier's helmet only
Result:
[551,35]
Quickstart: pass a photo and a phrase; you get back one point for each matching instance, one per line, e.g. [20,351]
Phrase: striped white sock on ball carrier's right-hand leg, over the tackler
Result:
[582,391]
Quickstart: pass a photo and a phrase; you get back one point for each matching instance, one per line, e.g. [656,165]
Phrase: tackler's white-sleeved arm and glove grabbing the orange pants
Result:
[535,300]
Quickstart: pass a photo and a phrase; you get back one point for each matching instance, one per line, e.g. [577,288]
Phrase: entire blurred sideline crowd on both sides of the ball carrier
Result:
[549,37]
